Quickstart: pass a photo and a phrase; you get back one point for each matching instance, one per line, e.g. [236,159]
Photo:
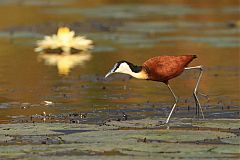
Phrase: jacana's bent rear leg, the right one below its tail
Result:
[198,106]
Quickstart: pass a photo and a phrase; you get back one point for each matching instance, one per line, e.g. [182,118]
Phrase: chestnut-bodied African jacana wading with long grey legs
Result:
[161,69]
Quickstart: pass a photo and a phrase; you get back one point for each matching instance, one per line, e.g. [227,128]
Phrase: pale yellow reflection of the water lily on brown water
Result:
[65,62]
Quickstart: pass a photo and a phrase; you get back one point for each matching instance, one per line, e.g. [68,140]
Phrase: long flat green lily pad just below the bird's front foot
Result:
[132,135]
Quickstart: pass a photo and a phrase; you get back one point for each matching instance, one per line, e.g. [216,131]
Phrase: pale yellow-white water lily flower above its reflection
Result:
[64,40]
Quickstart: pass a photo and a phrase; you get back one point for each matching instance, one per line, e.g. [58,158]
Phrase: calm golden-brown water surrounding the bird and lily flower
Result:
[120,30]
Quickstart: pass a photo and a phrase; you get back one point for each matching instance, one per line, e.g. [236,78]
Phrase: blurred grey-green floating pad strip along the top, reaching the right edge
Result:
[131,11]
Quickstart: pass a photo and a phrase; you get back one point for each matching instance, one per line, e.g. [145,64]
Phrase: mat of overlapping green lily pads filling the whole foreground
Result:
[132,139]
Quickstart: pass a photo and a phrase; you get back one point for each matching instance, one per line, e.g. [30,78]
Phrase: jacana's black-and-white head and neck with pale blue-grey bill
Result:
[128,68]
